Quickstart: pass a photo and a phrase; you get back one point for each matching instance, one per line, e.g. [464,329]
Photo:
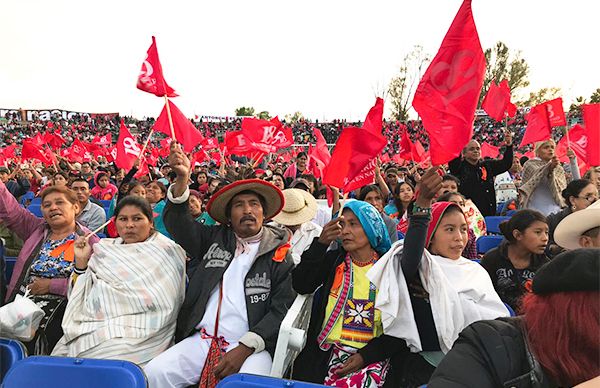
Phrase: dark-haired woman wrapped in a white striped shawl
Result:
[125,296]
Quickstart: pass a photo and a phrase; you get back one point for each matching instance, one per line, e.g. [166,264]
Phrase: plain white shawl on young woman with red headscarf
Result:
[460,293]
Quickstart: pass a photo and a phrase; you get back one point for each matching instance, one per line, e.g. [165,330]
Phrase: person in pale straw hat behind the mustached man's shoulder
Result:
[299,209]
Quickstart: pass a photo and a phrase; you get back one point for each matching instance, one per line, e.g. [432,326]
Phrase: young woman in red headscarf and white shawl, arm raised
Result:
[428,296]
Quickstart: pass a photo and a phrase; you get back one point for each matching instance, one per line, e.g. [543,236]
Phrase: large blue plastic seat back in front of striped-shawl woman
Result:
[50,372]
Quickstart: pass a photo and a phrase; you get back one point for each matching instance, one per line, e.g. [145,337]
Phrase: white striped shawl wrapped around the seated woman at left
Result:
[128,291]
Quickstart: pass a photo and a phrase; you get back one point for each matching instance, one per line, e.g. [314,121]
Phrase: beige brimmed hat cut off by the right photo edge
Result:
[569,230]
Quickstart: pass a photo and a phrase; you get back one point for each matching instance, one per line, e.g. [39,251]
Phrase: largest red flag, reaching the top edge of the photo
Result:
[447,95]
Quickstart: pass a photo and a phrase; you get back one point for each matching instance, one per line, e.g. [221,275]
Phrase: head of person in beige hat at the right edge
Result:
[580,229]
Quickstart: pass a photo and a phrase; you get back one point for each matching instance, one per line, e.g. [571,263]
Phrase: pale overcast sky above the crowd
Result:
[324,58]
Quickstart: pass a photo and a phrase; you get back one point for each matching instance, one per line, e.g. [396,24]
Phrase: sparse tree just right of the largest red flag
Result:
[504,65]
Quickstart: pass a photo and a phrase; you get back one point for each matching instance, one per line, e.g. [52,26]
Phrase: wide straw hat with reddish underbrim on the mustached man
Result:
[219,200]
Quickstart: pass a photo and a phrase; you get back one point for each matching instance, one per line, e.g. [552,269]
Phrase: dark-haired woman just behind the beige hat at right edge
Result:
[578,195]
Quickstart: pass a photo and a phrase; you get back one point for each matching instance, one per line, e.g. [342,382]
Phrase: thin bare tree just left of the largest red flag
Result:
[402,87]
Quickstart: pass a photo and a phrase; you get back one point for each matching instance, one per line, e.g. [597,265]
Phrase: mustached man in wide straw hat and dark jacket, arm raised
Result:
[240,290]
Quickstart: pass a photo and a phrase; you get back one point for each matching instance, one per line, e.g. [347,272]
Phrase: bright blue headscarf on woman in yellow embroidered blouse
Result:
[372,224]
